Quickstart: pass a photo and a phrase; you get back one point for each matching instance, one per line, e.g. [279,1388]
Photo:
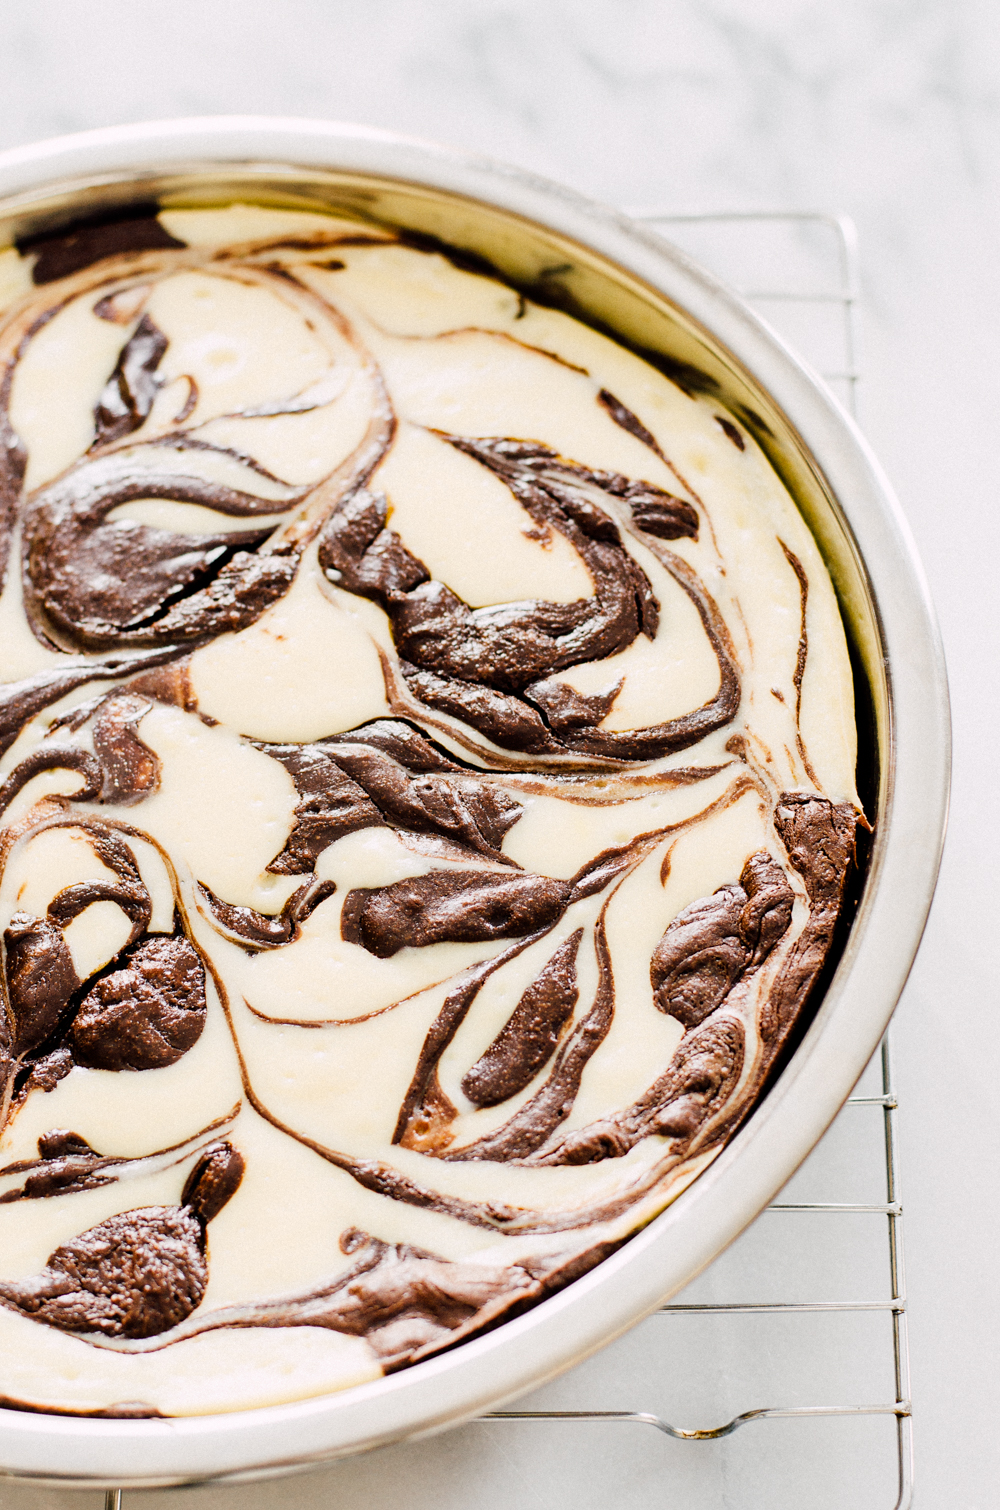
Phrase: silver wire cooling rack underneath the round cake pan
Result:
[812,1391]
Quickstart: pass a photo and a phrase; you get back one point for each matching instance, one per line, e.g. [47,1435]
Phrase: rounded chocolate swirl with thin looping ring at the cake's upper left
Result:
[93,582]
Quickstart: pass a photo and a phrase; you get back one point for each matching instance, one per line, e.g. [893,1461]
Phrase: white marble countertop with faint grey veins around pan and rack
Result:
[886,109]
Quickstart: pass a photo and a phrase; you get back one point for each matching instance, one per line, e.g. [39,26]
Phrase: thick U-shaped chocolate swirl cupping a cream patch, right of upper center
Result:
[498,668]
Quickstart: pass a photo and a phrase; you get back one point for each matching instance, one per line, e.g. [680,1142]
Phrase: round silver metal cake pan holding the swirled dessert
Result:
[629,282]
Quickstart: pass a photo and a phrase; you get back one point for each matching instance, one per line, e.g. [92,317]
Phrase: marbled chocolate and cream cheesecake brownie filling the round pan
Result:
[427,804]
